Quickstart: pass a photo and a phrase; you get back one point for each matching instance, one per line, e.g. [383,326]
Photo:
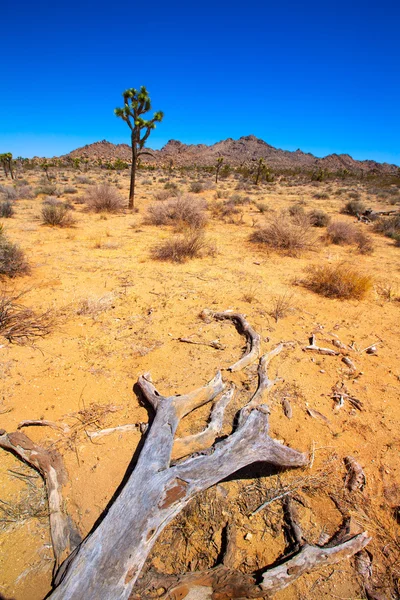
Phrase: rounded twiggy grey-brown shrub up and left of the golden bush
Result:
[290,235]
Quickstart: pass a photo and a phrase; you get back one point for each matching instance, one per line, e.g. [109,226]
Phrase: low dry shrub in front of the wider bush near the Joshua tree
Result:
[191,244]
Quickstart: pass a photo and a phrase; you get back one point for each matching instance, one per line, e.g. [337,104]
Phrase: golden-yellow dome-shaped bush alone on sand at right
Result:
[338,281]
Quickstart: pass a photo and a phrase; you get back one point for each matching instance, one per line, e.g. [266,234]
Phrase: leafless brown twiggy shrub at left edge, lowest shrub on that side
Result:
[19,324]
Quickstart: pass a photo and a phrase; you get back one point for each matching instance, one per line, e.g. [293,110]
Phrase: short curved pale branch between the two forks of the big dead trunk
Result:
[200,441]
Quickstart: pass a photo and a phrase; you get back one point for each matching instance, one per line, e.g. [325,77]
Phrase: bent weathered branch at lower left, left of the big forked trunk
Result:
[49,464]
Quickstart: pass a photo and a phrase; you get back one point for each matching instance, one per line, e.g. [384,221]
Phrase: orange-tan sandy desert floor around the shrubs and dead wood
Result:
[118,313]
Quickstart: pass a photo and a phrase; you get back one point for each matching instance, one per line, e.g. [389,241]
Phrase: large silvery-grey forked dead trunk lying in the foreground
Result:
[110,560]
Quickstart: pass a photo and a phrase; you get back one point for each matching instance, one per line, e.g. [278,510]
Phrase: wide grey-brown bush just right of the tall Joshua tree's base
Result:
[183,211]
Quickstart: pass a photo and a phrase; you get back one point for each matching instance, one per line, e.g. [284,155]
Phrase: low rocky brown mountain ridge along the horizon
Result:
[235,152]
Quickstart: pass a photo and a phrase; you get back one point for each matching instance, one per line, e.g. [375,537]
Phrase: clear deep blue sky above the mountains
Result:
[320,76]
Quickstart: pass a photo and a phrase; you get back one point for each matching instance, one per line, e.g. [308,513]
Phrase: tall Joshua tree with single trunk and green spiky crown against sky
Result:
[136,104]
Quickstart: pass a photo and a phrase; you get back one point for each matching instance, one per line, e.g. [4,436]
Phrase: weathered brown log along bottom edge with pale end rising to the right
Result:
[224,583]
